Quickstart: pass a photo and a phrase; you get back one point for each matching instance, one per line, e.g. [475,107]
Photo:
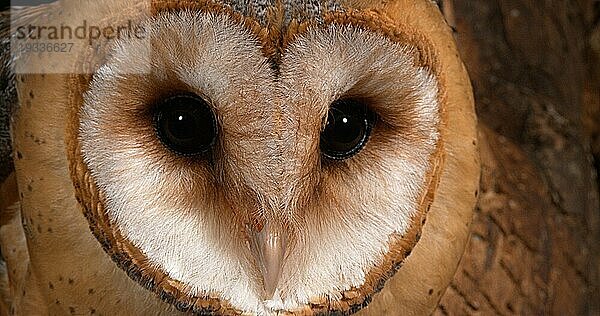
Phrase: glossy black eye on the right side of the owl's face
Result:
[347,129]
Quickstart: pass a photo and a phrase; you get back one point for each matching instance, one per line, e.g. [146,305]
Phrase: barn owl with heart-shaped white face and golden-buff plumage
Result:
[236,157]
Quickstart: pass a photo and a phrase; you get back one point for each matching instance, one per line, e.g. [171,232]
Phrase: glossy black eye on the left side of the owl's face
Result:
[186,124]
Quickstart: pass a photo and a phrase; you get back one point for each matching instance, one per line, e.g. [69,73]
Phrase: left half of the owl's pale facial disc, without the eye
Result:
[181,221]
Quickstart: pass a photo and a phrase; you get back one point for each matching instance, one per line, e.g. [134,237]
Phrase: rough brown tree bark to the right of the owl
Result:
[535,67]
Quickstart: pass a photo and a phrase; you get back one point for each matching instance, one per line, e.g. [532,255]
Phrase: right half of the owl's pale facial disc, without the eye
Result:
[358,203]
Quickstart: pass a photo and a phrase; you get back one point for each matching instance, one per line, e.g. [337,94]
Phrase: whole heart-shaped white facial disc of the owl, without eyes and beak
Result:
[182,215]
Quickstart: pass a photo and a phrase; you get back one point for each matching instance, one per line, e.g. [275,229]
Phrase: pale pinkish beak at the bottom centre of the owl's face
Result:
[268,247]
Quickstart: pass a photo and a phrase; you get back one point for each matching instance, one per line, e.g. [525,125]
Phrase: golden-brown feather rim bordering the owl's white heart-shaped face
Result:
[136,265]
